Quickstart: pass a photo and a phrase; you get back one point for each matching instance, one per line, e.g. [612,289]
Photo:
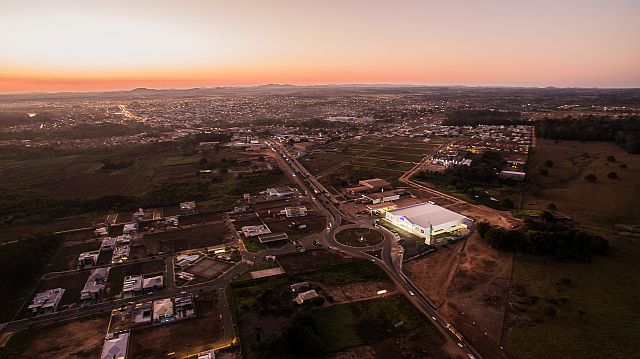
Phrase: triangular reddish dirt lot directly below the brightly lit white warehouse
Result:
[433,273]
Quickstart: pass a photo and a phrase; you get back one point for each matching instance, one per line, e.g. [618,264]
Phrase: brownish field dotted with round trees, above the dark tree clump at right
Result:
[602,203]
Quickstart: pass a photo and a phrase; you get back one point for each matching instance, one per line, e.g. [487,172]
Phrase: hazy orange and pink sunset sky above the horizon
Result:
[81,45]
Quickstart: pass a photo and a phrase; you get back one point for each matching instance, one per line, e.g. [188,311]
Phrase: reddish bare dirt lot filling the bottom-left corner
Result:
[86,336]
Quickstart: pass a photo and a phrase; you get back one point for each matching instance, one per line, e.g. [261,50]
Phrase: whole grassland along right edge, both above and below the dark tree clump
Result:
[593,314]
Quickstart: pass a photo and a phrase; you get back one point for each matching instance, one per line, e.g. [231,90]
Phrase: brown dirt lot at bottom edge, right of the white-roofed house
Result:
[183,337]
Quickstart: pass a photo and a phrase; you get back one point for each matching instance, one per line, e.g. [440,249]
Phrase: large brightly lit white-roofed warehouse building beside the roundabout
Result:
[427,220]
